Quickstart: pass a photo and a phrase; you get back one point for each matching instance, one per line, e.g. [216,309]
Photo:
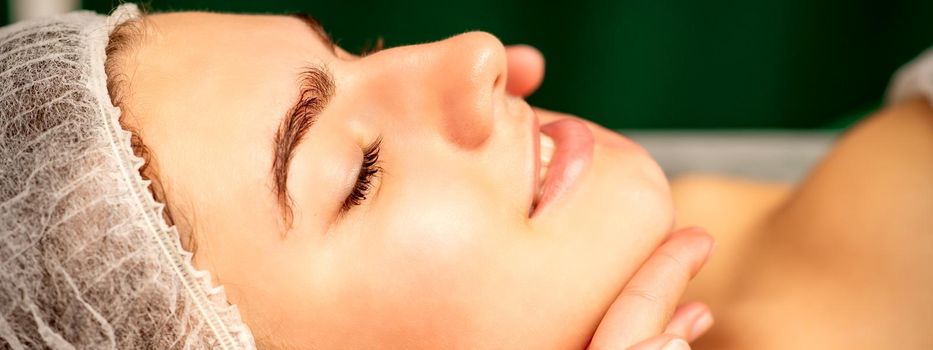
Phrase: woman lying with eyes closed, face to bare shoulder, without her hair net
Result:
[407,198]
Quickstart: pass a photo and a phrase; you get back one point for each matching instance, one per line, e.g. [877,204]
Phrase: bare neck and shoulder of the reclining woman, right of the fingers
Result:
[844,255]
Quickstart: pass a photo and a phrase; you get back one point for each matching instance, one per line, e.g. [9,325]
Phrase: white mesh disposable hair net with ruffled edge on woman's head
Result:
[86,260]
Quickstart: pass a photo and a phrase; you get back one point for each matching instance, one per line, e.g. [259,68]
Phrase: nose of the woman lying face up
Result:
[461,80]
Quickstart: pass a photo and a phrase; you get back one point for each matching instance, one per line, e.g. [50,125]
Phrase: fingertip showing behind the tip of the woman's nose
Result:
[525,69]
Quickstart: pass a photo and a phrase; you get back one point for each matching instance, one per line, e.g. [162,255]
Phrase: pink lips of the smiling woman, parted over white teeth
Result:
[573,153]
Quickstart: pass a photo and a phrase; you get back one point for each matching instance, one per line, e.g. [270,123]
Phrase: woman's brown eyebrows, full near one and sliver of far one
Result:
[316,87]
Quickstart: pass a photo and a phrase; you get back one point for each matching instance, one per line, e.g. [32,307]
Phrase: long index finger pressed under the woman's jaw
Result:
[646,303]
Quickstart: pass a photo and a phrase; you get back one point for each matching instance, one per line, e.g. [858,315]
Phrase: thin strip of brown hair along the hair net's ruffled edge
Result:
[124,42]
